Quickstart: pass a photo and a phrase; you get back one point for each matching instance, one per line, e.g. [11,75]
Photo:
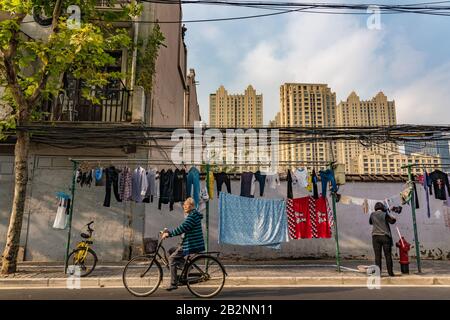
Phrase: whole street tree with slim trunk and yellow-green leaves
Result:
[31,70]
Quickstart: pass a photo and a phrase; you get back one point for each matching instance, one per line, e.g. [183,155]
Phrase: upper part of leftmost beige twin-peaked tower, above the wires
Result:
[236,110]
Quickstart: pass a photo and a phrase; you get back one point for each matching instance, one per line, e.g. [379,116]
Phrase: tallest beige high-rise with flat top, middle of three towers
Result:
[307,105]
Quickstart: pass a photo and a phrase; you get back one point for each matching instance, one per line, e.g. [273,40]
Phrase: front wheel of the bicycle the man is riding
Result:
[141,277]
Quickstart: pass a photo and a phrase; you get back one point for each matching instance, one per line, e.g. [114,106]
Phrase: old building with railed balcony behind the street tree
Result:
[126,106]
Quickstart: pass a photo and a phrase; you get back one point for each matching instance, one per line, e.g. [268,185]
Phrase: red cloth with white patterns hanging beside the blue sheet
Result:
[308,218]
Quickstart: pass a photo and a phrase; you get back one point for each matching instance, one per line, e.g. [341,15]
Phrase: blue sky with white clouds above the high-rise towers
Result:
[408,58]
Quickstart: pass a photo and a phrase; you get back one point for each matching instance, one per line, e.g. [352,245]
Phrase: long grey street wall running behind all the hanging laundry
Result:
[50,174]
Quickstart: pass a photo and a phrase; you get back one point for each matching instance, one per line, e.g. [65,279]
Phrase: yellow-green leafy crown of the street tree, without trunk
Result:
[39,64]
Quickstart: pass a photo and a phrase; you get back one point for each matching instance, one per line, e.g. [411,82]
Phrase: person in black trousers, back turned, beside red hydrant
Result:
[381,236]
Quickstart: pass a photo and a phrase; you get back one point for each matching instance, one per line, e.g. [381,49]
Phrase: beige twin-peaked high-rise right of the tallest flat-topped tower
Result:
[353,112]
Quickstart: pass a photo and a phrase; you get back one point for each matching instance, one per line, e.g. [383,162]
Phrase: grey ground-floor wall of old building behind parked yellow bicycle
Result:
[50,174]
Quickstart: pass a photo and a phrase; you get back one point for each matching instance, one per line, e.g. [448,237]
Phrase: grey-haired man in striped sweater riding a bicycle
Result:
[192,239]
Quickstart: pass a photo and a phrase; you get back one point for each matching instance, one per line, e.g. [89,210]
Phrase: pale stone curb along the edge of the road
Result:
[235,282]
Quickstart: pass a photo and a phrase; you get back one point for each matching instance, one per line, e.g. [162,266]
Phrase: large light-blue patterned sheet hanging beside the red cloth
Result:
[252,222]
